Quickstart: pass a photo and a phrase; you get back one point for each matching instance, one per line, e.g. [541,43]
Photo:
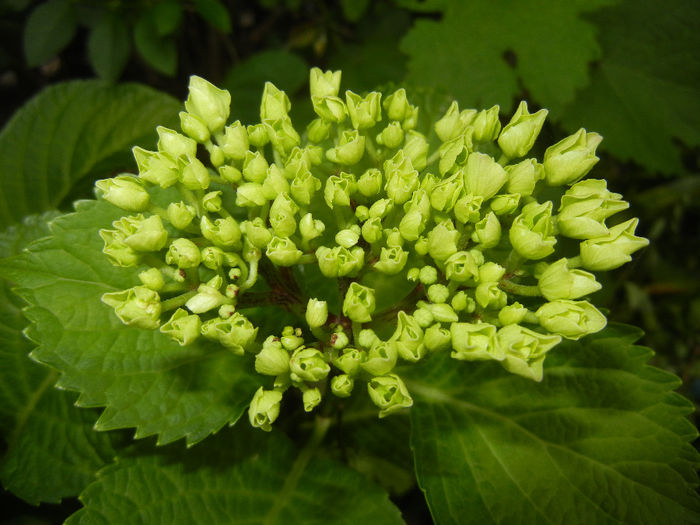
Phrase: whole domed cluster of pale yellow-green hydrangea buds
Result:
[226,216]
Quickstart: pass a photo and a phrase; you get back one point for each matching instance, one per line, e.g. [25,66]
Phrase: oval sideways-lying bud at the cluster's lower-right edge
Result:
[571,319]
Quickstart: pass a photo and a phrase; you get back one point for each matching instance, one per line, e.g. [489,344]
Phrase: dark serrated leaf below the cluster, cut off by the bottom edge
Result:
[244,476]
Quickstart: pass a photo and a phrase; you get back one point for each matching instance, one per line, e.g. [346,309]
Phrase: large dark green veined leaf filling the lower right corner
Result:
[603,439]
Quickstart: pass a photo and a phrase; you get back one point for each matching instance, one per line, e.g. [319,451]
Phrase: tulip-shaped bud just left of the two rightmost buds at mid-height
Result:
[532,231]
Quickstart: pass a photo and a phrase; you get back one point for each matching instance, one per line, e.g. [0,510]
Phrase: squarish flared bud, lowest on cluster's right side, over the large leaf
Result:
[525,350]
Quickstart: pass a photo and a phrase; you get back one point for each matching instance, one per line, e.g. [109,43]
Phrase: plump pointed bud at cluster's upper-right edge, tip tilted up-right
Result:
[570,159]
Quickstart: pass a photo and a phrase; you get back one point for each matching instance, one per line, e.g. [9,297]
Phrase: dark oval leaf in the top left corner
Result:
[50,27]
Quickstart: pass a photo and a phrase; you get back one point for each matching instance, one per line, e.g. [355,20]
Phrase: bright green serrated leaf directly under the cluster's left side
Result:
[141,377]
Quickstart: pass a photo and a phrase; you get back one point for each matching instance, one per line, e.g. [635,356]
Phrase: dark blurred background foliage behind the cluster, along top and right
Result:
[627,69]
